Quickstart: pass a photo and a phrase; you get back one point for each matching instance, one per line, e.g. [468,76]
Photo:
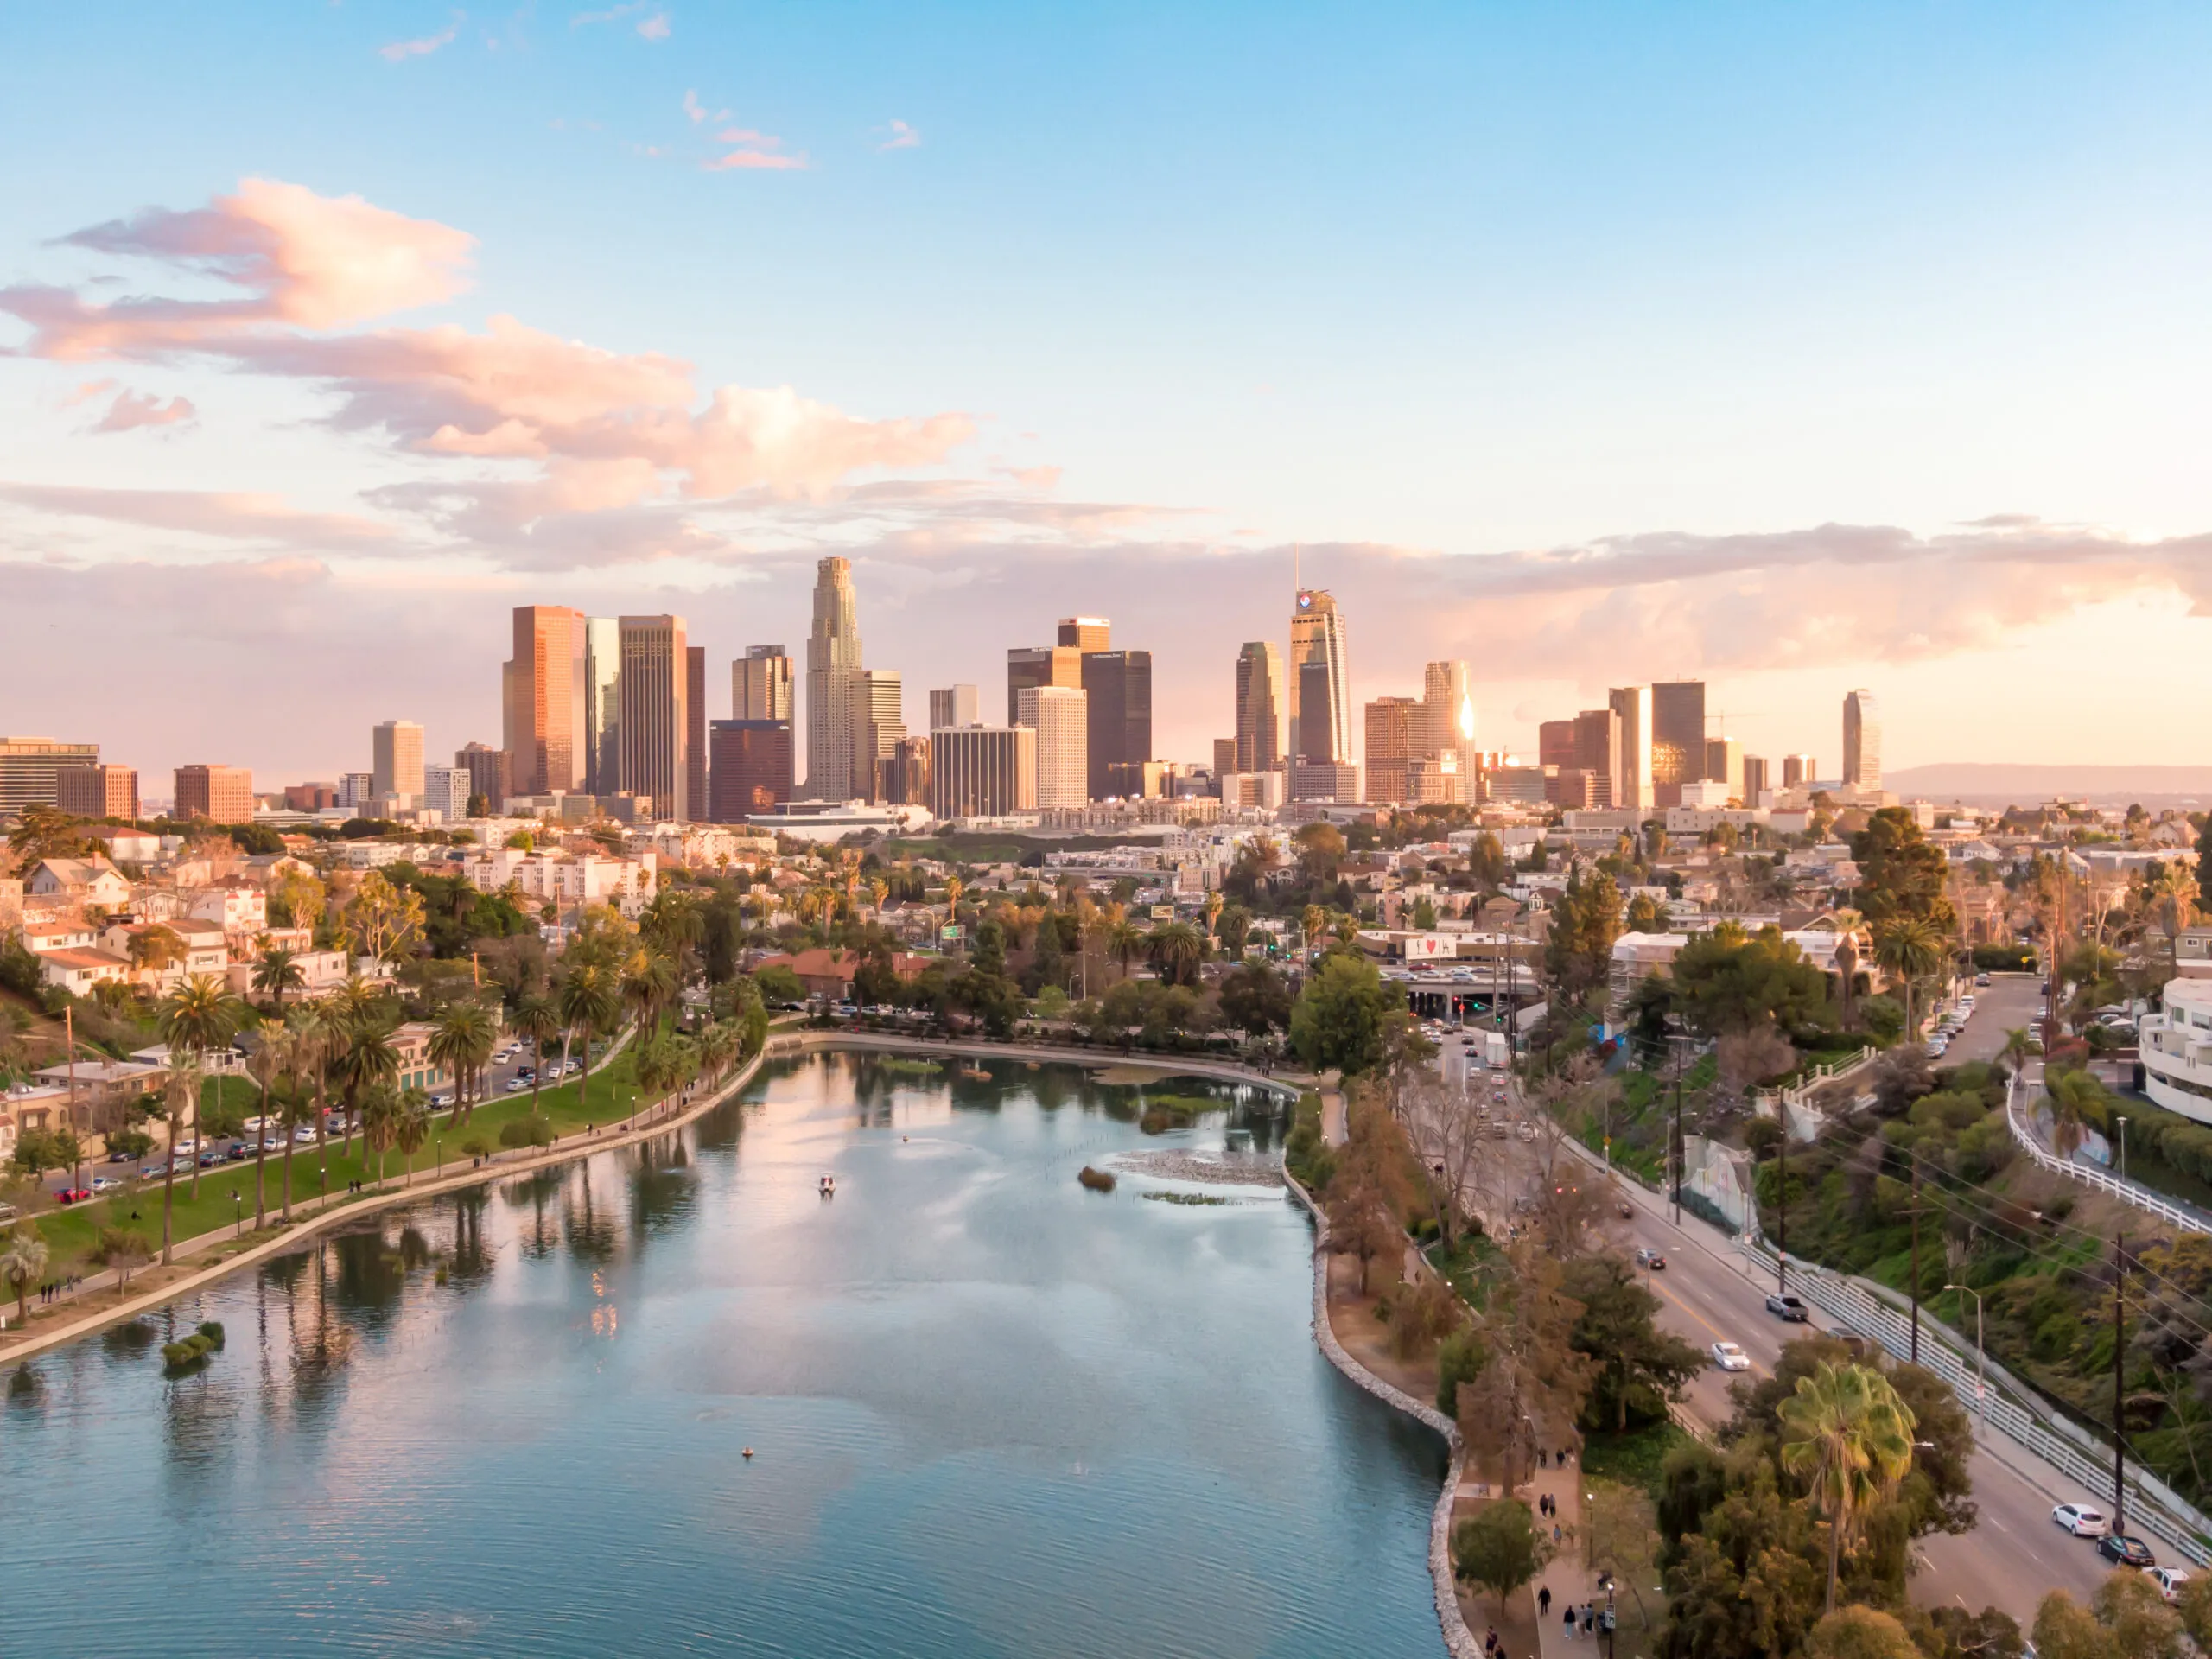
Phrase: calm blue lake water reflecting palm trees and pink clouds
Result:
[994,1415]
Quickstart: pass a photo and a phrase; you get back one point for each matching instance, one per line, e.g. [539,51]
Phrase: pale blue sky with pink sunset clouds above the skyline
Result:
[1777,346]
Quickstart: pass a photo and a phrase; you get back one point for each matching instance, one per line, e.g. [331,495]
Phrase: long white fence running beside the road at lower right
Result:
[2153,1507]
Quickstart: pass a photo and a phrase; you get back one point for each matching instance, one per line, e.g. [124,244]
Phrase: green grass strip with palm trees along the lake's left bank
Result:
[72,1233]
